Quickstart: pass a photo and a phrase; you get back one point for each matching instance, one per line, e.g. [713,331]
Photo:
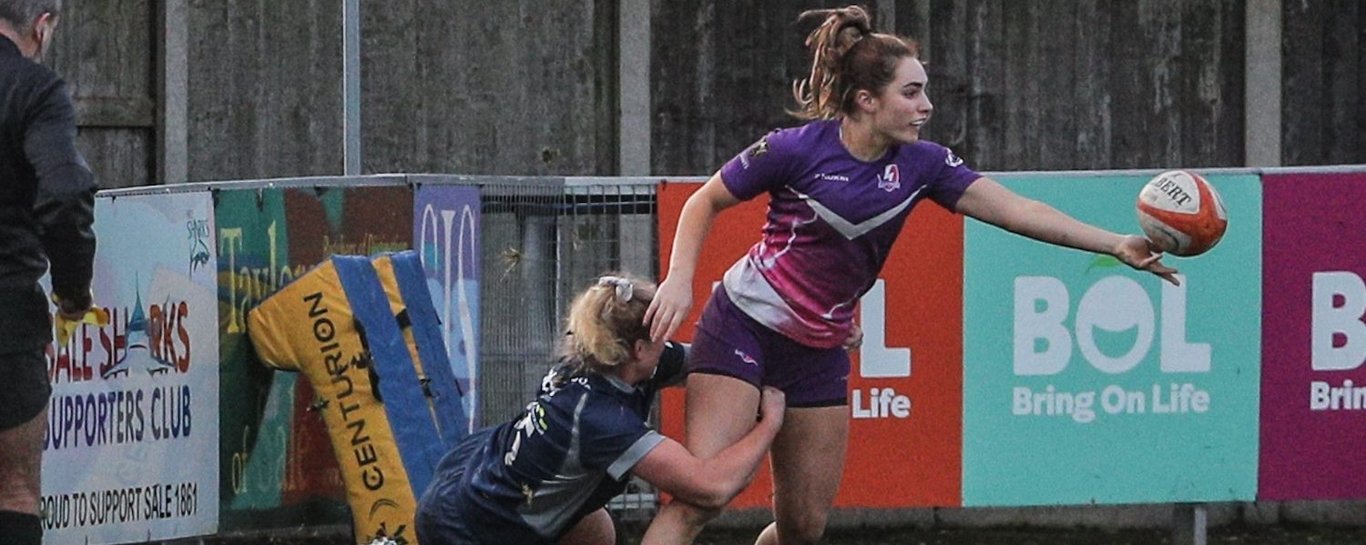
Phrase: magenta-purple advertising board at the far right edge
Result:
[1313,338]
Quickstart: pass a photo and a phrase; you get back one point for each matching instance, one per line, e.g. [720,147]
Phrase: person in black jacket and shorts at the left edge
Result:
[47,211]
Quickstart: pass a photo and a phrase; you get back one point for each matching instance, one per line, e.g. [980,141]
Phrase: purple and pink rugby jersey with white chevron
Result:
[831,223]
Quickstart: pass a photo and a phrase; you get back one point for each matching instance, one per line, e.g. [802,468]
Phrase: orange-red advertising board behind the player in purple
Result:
[906,389]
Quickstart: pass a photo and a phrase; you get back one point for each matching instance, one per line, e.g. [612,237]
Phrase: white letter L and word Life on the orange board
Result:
[879,361]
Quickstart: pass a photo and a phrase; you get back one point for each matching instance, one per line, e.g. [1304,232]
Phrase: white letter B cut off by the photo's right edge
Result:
[1339,335]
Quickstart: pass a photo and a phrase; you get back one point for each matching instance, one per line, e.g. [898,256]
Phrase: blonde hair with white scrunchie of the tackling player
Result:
[606,322]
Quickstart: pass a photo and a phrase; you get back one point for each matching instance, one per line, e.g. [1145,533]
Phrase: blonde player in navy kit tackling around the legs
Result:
[547,476]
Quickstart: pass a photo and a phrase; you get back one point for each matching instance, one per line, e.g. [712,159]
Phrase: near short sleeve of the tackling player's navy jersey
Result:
[615,439]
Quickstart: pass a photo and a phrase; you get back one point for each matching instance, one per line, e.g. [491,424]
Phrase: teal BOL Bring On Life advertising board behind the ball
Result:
[1087,382]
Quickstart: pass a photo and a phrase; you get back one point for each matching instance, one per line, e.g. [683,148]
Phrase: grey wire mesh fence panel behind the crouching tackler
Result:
[543,241]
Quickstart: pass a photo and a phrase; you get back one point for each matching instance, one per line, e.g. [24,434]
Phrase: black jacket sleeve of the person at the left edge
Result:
[65,197]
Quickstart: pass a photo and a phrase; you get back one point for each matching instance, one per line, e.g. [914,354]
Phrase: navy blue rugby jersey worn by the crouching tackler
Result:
[568,456]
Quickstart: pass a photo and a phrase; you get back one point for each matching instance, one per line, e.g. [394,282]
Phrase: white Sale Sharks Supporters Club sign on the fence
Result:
[137,397]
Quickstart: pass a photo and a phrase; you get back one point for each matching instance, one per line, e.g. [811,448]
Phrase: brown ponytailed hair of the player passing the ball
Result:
[846,57]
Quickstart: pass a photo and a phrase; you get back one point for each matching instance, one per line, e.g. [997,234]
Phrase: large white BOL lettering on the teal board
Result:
[1113,305]
